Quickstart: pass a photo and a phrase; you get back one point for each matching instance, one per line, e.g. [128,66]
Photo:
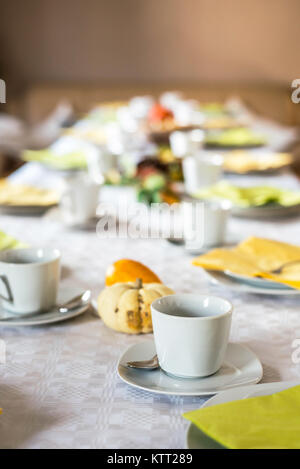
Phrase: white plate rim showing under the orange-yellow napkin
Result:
[238,286]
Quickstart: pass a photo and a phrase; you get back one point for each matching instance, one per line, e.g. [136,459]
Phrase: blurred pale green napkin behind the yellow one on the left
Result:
[73,160]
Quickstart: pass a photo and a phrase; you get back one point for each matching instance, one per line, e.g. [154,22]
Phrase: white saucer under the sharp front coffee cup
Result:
[241,366]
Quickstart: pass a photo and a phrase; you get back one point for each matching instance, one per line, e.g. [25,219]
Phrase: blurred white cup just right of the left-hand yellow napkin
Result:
[79,200]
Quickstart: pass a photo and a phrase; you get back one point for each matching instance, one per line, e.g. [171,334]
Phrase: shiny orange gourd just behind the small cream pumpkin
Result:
[127,270]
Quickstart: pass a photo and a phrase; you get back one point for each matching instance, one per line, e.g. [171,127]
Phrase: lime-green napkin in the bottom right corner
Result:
[268,422]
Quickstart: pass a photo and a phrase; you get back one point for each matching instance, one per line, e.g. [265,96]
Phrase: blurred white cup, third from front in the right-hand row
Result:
[201,170]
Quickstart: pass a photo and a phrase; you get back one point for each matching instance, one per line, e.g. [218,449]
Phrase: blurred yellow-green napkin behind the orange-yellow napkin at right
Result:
[255,196]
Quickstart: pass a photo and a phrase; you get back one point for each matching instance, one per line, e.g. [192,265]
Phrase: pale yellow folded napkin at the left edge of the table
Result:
[21,195]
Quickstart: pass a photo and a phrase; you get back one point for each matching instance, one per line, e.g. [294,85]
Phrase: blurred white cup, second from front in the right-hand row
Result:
[205,223]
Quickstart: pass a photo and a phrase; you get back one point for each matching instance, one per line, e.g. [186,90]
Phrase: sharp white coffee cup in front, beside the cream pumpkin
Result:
[191,333]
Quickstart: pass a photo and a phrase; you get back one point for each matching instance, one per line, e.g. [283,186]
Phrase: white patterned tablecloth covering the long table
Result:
[59,387]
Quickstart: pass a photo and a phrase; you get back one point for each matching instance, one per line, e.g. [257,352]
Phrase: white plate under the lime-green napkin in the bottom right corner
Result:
[196,439]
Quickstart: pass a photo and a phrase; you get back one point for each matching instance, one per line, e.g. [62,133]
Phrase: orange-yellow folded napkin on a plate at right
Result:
[256,257]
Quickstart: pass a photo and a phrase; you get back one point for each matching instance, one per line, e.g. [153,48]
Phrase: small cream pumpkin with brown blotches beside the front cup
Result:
[125,307]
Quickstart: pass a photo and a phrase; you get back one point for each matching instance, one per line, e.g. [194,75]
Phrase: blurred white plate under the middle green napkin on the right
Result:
[266,211]
